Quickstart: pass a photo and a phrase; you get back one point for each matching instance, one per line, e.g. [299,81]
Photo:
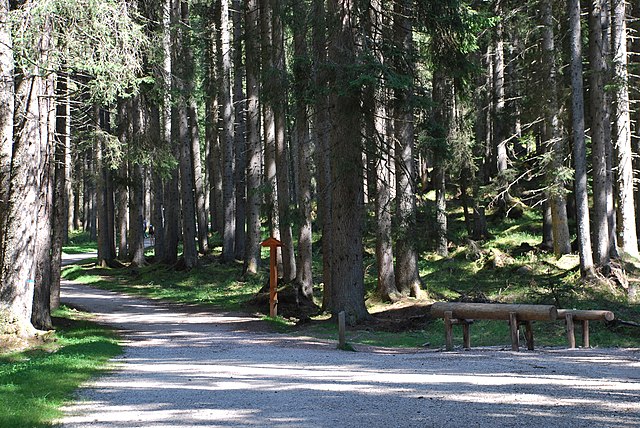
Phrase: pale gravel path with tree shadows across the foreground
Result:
[183,367]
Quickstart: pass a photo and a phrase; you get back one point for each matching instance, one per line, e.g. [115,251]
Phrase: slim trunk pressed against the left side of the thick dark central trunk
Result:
[320,135]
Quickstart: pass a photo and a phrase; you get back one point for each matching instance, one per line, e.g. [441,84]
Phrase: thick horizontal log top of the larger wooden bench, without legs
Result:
[494,311]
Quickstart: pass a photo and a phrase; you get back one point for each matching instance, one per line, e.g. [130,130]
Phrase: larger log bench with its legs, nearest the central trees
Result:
[463,314]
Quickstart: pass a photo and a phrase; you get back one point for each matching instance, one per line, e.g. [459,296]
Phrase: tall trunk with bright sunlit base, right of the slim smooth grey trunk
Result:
[599,149]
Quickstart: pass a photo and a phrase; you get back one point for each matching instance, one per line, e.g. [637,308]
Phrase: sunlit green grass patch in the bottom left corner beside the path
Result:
[34,384]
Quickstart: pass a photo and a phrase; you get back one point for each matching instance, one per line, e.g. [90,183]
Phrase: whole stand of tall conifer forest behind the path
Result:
[353,131]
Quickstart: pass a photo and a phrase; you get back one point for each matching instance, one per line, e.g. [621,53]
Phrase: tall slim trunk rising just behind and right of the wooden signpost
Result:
[282,157]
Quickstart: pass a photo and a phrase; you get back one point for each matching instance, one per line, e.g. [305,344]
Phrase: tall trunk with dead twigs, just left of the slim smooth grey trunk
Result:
[553,138]
